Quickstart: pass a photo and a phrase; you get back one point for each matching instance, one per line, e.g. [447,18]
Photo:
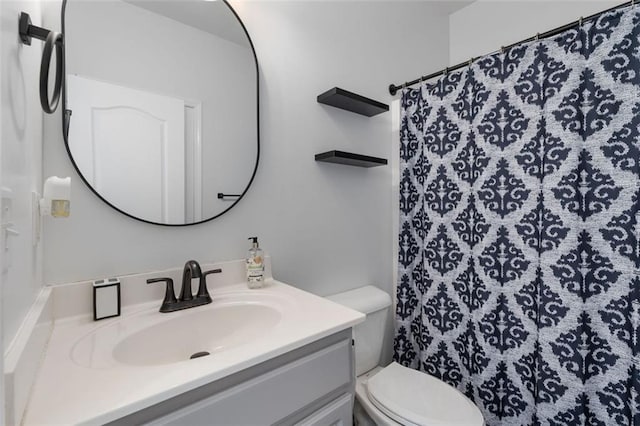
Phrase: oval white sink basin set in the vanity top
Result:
[151,338]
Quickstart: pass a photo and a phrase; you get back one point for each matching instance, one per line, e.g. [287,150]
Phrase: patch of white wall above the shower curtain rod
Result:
[485,25]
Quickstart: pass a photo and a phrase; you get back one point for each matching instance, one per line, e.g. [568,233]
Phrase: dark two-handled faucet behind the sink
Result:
[186,300]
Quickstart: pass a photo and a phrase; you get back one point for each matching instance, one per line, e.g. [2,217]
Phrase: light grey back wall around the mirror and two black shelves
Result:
[327,227]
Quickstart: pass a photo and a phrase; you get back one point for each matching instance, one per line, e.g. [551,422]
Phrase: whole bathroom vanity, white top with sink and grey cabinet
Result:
[277,355]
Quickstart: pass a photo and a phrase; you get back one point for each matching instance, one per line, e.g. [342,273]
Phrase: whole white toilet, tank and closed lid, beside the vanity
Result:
[397,395]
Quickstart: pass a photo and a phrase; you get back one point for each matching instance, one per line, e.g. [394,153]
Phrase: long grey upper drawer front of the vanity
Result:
[272,396]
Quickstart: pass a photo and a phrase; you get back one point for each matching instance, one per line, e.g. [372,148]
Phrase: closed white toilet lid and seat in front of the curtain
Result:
[411,397]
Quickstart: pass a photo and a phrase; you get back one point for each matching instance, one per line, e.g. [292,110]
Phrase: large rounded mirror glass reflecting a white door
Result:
[161,106]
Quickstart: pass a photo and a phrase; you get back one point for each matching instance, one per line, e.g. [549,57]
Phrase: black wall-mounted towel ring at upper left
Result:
[51,39]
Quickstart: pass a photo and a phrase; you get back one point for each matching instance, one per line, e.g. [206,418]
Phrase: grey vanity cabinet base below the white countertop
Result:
[312,385]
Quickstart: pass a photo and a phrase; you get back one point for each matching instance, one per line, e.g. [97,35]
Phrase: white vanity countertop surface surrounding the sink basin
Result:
[66,392]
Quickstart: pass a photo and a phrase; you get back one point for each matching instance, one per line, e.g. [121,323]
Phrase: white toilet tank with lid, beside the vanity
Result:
[368,335]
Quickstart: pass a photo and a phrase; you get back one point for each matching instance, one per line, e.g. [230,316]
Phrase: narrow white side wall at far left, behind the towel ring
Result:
[21,146]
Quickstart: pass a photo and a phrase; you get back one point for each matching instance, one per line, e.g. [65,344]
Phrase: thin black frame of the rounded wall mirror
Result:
[66,121]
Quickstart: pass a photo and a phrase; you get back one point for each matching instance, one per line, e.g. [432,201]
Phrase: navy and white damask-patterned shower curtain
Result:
[519,277]
